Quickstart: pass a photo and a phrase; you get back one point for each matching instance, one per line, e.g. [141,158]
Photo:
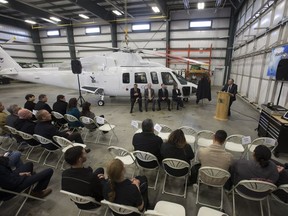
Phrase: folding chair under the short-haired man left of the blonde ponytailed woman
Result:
[76,198]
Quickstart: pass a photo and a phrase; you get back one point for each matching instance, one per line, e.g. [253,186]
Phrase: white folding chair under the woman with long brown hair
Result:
[175,165]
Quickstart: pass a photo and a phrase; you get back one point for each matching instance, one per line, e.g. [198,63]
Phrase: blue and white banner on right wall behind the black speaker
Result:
[277,54]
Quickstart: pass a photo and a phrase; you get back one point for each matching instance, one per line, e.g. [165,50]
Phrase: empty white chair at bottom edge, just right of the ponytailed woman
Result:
[164,208]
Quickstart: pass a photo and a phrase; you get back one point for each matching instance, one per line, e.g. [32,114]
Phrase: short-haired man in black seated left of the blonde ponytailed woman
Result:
[81,180]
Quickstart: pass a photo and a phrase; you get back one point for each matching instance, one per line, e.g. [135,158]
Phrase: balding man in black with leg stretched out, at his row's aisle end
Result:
[46,129]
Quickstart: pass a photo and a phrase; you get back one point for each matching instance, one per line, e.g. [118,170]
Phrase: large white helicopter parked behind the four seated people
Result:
[112,75]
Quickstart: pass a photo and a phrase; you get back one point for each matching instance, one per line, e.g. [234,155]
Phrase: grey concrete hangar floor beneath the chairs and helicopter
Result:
[244,121]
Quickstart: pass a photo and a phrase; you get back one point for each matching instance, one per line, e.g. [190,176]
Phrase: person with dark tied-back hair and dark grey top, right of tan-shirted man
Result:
[260,168]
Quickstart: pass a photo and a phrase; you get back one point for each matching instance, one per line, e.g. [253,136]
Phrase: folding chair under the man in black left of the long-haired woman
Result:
[147,158]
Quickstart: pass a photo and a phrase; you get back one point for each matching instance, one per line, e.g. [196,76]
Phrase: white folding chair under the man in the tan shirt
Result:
[214,177]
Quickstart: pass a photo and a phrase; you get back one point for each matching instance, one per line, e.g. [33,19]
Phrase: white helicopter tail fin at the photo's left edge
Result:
[8,66]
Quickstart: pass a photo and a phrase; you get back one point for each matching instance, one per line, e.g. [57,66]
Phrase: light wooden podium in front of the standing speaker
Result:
[223,99]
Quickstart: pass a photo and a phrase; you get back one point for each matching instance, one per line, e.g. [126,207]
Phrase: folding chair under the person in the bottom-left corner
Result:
[10,194]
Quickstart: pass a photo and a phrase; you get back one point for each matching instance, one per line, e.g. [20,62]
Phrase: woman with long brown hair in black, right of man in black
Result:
[177,147]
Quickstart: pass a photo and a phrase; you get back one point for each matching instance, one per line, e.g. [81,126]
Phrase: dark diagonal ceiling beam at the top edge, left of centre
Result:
[95,9]
